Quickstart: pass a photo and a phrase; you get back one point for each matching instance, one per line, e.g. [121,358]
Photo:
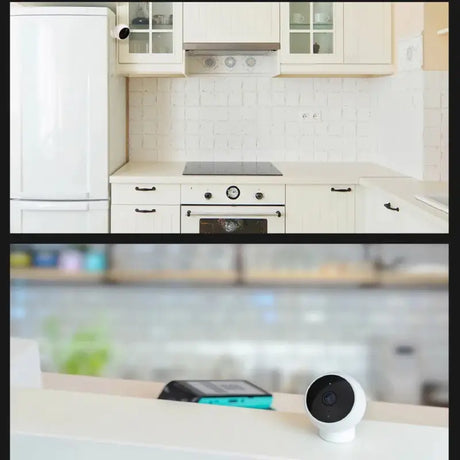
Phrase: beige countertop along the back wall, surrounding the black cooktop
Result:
[293,173]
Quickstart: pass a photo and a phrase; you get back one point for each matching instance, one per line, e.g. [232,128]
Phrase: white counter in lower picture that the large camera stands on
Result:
[81,424]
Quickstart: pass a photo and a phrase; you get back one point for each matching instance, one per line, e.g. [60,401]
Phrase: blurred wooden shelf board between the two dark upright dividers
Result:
[145,276]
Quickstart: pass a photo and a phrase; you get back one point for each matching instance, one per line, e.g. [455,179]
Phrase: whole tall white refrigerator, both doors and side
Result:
[67,119]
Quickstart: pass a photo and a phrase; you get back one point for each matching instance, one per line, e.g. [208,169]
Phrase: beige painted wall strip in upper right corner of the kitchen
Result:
[435,47]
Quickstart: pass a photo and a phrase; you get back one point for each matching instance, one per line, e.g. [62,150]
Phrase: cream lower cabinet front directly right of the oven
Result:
[320,209]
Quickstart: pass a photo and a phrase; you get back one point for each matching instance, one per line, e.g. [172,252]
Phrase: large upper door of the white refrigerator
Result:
[59,107]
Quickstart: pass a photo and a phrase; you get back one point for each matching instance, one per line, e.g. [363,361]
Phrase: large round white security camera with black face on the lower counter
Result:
[335,403]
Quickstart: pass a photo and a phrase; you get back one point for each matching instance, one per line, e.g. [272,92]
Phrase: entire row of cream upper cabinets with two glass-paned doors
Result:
[316,38]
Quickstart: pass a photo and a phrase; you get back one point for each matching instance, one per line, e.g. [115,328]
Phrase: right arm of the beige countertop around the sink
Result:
[405,188]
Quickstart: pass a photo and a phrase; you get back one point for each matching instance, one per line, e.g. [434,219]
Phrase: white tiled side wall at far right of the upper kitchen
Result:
[409,115]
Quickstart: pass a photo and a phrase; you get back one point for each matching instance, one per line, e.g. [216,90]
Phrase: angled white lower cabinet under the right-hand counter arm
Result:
[378,211]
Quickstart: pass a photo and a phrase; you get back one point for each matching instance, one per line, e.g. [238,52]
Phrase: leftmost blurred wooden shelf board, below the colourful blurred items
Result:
[54,274]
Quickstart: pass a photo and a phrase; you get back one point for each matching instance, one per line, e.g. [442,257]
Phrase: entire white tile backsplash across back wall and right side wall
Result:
[248,118]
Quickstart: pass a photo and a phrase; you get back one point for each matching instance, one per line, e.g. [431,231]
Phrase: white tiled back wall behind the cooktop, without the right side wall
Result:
[248,118]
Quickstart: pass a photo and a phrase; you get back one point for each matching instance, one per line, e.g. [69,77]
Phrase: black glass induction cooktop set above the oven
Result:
[230,168]
